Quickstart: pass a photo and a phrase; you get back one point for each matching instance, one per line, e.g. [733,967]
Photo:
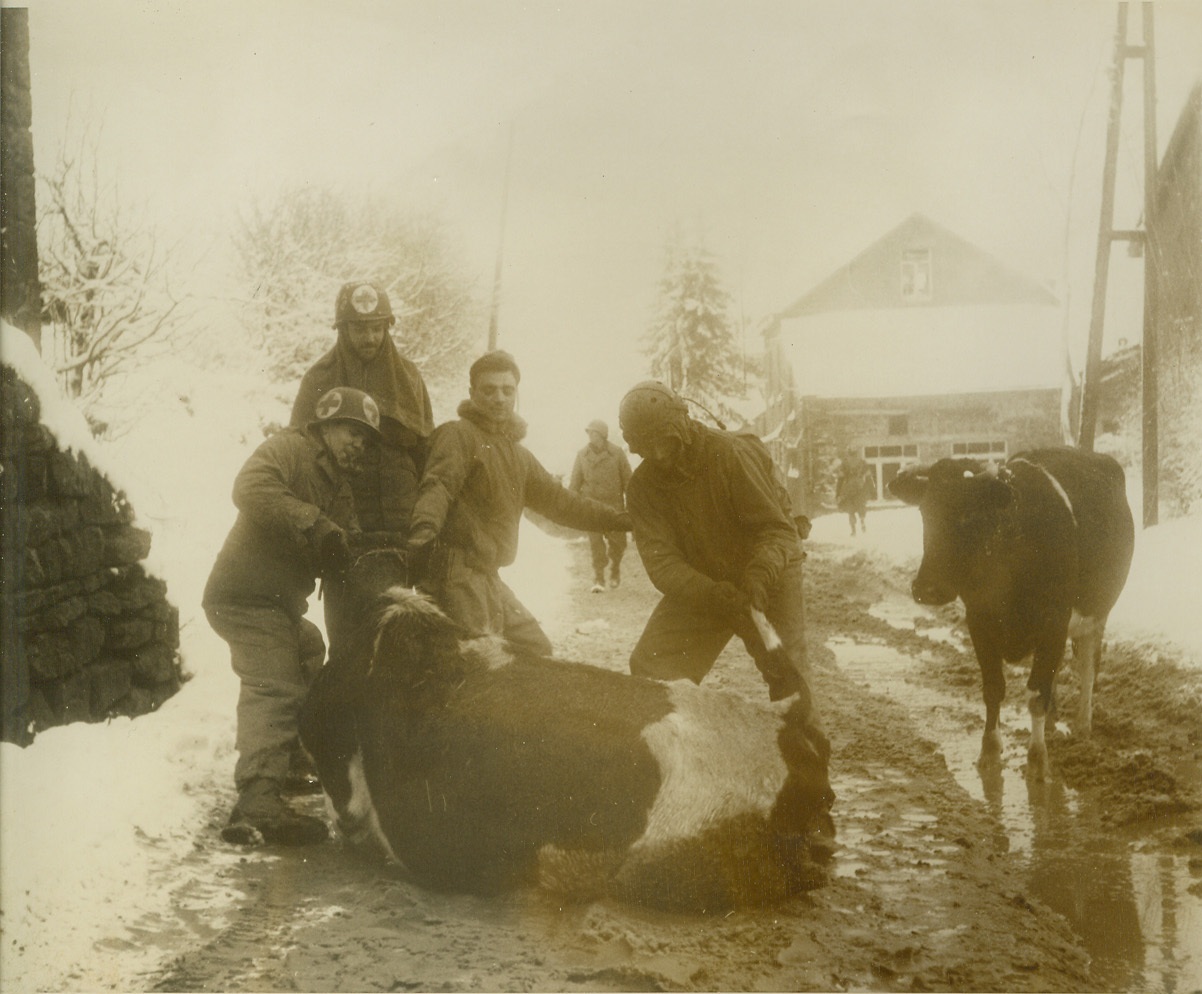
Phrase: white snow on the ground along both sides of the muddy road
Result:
[97,819]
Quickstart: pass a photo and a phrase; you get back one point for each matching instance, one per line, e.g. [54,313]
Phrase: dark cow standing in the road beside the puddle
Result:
[1039,551]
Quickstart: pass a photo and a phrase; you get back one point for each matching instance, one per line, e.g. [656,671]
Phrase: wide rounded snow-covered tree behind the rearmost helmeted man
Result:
[299,249]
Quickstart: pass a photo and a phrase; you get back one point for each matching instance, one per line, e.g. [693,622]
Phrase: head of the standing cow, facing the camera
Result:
[960,501]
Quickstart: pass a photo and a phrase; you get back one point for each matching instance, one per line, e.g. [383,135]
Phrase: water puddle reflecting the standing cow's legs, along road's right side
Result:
[1139,913]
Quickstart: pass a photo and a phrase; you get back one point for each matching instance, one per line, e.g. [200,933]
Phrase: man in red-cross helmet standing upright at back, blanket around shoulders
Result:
[366,358]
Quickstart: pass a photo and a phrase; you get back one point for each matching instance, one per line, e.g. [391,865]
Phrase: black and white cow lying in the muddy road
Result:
[481,770]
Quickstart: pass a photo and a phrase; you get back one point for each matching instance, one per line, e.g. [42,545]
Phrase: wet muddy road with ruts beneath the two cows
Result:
[1091,882]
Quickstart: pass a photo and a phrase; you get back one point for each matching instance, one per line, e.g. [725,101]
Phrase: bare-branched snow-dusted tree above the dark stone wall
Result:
[108,300]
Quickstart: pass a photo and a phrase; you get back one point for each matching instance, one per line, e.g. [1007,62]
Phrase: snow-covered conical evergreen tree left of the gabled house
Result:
[692,342]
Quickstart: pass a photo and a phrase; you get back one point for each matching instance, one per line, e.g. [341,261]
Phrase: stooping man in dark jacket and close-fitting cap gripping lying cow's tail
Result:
[717,535]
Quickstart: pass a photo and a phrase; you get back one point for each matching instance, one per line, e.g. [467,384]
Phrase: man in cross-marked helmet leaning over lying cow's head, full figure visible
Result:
[295,511]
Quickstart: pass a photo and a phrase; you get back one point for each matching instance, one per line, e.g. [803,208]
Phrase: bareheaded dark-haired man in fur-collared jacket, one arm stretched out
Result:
[479,479]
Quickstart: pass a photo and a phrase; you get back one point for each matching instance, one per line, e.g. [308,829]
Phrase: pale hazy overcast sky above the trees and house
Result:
[795,133]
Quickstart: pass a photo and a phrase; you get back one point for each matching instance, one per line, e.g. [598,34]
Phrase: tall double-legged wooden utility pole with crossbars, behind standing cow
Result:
[1106,236]
